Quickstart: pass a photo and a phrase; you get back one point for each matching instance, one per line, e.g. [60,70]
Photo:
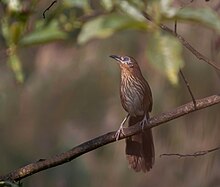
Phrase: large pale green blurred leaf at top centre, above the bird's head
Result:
[105,26]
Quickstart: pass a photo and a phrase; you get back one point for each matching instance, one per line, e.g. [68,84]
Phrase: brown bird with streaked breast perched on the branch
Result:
[136,99]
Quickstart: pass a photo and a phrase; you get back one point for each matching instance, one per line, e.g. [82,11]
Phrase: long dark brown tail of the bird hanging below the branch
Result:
[140,148]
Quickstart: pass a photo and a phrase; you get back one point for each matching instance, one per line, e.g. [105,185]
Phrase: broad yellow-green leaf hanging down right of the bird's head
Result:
[164,52]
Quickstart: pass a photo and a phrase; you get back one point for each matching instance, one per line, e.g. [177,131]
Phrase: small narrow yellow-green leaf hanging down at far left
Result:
[15,64]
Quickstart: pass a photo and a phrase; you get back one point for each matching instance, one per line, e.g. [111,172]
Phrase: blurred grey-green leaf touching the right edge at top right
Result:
[205,16]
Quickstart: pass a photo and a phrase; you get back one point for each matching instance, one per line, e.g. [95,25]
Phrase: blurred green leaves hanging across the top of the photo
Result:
[85,20]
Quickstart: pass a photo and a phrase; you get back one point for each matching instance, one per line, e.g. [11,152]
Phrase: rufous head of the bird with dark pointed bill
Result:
[126,62]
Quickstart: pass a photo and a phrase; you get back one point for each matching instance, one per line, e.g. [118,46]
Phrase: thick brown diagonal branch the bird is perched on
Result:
[102,140]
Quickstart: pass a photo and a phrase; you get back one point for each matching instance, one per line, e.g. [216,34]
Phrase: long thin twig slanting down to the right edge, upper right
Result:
[184,42]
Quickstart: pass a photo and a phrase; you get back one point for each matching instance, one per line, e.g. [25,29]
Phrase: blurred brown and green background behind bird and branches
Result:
[59,88]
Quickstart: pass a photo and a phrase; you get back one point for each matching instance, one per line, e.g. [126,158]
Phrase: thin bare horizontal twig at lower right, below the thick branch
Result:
[198,153]
